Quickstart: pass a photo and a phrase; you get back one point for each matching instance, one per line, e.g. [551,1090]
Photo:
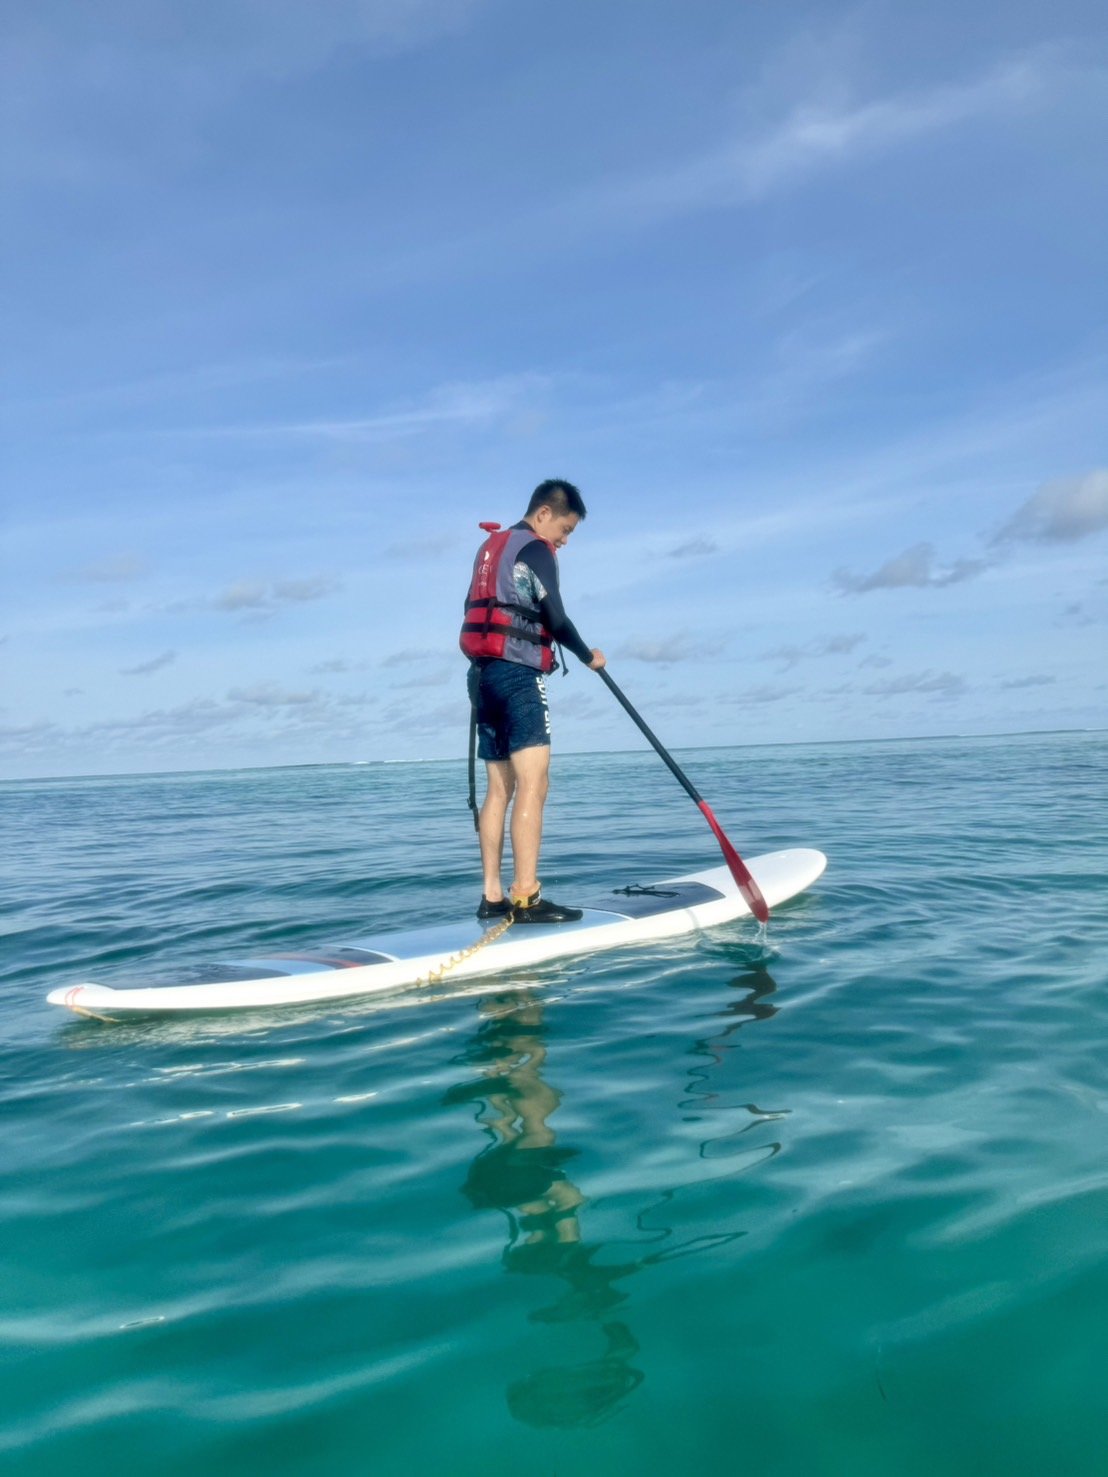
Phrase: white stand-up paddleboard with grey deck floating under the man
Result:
[386,962]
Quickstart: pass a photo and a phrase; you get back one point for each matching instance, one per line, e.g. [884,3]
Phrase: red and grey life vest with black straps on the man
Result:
[497,623]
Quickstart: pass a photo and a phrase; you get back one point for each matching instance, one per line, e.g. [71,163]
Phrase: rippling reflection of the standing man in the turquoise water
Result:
[522,1173]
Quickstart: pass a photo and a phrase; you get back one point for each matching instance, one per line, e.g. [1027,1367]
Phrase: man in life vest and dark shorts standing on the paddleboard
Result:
[513,621]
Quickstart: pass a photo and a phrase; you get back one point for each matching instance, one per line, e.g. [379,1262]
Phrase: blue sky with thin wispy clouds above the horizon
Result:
[810,302]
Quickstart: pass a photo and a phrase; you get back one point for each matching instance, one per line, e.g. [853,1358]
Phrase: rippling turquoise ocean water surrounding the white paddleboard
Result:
[831,1202]
